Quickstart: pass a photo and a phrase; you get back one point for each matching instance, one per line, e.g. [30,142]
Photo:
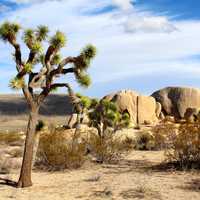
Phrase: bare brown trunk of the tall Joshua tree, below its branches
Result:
[25,174]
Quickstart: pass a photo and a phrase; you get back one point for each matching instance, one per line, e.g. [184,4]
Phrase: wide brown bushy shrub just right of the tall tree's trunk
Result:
[56,152]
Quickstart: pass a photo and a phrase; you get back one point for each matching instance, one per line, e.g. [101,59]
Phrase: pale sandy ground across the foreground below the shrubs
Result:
[132,178]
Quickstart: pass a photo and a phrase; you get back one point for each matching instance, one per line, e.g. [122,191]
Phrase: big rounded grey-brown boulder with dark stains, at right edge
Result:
[176,100]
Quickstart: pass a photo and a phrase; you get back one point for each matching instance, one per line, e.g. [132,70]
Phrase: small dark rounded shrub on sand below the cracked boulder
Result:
[144,141]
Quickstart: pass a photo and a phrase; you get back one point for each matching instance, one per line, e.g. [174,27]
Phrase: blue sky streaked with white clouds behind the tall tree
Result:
[143,45]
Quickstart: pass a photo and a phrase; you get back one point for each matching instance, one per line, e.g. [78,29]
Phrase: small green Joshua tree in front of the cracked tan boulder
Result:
[105,114]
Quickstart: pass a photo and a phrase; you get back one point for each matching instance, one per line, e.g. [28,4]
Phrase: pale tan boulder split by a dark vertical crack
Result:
[142,109]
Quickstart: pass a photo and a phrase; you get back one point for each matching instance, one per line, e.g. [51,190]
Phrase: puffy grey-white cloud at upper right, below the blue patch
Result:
[149,25]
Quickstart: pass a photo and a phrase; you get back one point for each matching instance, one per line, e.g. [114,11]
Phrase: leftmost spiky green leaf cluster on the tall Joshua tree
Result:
[9,31]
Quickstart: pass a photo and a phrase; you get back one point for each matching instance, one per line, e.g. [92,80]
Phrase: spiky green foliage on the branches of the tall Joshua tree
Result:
[33,39]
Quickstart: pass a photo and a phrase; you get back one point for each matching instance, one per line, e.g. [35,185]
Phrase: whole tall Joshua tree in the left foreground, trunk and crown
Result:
[51,67]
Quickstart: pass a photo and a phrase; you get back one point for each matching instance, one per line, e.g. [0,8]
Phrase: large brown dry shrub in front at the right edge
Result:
[185,147]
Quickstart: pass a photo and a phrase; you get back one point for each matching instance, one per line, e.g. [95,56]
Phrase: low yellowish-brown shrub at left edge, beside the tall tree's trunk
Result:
[10,138]
